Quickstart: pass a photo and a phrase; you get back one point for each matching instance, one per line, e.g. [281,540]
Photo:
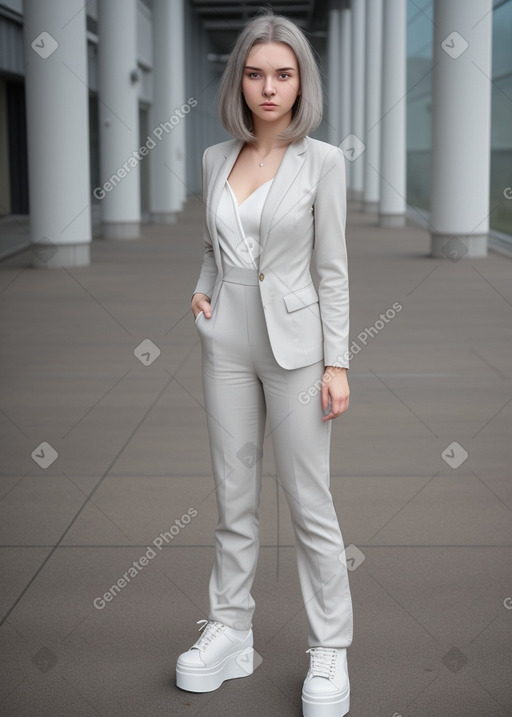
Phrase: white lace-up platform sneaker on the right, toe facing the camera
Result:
[326,689]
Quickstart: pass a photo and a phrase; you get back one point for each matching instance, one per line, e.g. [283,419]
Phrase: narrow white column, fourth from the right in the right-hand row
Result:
[357,93]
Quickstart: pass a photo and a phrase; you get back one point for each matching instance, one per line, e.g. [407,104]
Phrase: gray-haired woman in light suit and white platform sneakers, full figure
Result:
[272,344]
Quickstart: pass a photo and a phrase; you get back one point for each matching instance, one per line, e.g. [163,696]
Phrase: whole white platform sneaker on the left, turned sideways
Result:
[221,653]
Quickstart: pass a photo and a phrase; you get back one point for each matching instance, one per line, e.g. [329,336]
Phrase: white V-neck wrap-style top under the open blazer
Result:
[239,226]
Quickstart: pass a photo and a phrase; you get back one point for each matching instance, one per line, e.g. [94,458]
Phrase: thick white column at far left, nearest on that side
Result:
[58,132]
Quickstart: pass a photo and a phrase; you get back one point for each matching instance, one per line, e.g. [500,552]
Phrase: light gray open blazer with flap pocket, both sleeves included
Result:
[302,224]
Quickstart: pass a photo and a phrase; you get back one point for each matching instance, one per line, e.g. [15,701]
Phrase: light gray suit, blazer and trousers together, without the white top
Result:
[263,354]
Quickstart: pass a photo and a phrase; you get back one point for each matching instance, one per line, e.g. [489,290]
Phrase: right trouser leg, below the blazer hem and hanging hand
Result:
[301,444]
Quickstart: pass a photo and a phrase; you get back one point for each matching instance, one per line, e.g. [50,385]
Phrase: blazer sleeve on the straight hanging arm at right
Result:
[330,258]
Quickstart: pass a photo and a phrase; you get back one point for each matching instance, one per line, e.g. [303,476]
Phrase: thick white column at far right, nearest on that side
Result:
[461,121]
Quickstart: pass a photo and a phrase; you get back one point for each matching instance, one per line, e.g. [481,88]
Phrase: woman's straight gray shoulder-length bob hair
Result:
[234,113]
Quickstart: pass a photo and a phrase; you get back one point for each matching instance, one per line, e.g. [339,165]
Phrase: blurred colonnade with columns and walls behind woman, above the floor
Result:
[105,79]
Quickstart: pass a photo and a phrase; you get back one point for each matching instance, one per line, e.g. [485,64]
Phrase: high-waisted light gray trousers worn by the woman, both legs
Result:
[242,383]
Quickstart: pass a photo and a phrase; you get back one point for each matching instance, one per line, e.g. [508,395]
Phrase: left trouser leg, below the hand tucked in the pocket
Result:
[235,414]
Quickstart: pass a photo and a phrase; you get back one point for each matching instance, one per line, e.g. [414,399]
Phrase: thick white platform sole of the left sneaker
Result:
[207,679]
